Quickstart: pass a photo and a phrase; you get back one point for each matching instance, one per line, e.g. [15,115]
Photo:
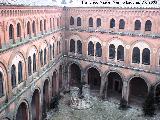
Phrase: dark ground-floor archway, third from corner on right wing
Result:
[115,85]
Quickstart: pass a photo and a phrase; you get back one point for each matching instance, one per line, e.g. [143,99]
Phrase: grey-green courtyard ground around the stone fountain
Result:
[101,110]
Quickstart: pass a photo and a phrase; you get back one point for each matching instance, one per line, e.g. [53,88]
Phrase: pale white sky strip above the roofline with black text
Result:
[89,3]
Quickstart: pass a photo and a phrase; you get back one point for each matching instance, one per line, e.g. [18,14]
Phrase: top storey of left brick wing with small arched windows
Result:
[20,24]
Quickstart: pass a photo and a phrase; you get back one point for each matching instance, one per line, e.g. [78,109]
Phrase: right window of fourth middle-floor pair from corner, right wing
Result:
[146,56]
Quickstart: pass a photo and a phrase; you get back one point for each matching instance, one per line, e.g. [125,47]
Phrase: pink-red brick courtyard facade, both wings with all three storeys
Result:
[45,50]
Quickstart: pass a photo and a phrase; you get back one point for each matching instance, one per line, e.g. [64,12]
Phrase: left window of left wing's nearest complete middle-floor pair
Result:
[13,76]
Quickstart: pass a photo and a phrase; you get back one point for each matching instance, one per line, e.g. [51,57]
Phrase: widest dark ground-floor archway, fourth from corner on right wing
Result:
[138,90]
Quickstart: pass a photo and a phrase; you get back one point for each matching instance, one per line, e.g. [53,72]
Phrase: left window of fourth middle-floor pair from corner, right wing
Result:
[136,55]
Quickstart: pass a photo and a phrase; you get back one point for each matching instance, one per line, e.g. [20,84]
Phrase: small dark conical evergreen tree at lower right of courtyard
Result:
[148,105]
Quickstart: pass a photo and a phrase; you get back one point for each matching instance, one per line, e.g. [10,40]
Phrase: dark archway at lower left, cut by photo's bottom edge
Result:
[22,112]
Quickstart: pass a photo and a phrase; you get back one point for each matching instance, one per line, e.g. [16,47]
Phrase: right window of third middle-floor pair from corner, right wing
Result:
[120,53]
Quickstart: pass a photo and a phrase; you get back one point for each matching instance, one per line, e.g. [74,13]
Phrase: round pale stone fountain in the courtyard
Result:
[78,102]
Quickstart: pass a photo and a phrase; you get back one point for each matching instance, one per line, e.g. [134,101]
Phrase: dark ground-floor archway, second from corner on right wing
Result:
[94,79]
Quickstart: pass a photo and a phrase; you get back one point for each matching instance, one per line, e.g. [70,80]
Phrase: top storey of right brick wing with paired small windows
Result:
[130,22]
